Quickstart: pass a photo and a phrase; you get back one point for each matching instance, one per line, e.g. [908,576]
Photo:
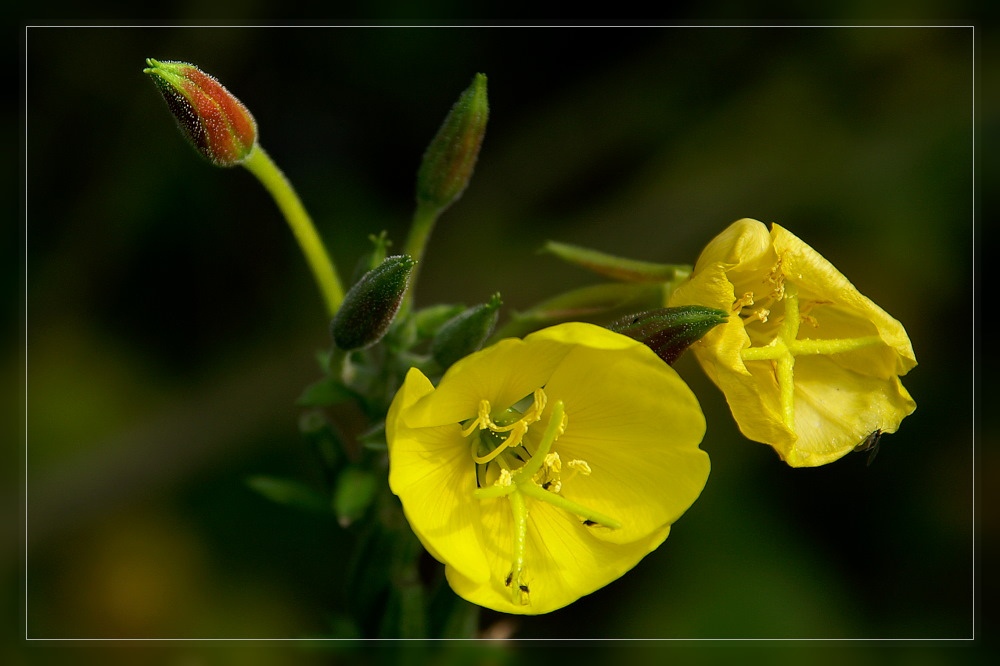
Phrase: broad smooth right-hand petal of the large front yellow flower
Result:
[638,426]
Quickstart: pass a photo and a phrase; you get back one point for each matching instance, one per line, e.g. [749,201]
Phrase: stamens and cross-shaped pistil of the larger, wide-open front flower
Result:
[499,439]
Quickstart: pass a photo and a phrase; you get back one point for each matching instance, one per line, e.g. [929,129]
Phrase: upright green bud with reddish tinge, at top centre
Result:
[451,156]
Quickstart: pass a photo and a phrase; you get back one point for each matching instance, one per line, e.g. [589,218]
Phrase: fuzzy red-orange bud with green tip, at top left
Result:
[213,120]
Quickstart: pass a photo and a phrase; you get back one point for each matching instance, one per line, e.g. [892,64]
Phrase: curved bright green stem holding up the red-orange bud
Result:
[263,167]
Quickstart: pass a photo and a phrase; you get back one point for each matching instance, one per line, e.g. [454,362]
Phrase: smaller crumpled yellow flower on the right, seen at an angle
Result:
[810,366]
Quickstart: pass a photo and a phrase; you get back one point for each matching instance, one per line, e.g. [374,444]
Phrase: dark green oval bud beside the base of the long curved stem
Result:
[371,304]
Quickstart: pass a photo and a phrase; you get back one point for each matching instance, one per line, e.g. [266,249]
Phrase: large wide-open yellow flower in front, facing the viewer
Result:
[540,470]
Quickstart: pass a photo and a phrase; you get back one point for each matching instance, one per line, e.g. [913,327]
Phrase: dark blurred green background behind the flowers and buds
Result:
[172,323]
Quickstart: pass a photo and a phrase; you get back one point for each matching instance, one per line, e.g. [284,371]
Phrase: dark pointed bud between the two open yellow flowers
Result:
[669,331]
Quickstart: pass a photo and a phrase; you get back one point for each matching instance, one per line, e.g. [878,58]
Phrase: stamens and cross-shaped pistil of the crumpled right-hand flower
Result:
[782,350]
